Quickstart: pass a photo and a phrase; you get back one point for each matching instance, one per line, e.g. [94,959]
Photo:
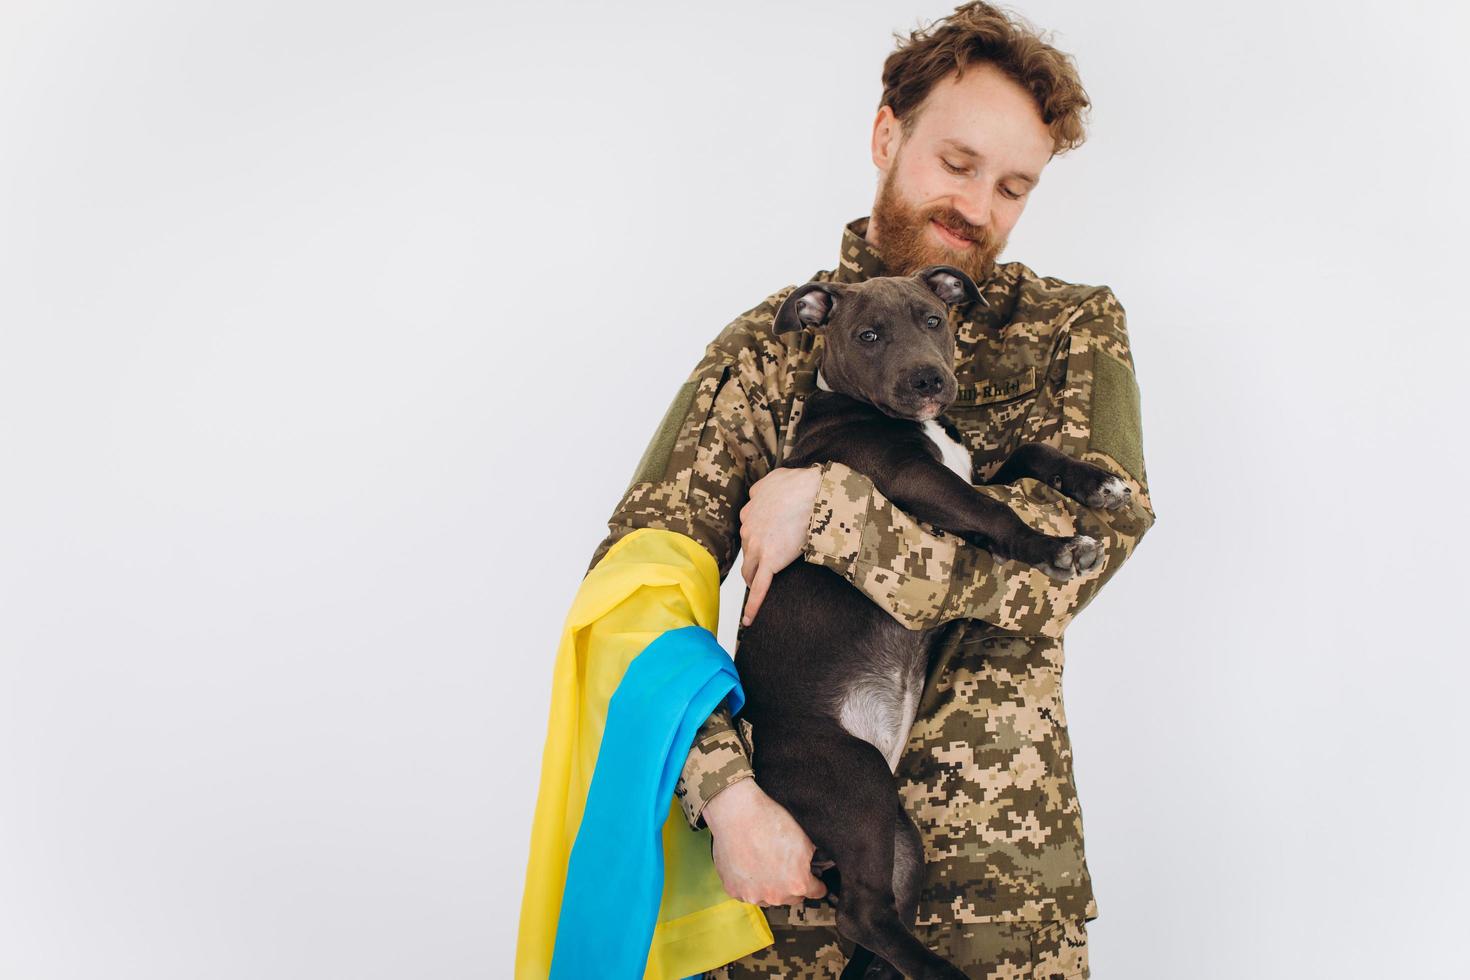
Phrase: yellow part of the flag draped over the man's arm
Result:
[648,584]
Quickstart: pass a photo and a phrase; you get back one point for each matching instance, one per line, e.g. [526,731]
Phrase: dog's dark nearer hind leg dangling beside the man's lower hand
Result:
[850,810]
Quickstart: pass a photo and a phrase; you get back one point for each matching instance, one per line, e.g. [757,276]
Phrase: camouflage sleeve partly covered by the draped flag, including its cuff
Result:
[715,440]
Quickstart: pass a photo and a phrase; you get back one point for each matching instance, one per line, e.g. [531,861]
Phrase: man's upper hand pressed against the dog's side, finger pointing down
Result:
[774,528]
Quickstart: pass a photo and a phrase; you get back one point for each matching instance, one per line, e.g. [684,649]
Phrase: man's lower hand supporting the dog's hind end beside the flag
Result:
[761,851]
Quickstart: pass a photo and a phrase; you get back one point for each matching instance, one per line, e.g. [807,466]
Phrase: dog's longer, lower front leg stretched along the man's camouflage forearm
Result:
[930,491]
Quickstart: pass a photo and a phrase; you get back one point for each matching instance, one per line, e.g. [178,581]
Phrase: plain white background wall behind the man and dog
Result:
[333,333]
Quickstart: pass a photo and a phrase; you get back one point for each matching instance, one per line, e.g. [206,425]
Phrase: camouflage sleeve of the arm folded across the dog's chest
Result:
[927,577]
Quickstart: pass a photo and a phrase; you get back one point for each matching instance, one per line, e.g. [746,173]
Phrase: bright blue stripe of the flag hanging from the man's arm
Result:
[615,873]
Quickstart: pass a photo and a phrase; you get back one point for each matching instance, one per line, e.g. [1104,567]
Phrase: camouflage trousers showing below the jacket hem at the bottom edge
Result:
[989,951]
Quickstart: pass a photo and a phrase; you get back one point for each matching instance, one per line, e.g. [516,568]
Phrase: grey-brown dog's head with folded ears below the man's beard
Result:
[887,342]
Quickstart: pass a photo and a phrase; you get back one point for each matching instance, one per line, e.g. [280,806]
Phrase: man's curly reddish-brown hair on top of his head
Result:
[980,33]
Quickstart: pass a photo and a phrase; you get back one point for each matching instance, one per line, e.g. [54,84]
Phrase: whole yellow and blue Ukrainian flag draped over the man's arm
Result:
[618,887]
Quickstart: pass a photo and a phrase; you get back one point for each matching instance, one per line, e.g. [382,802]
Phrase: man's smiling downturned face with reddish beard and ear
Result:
[952,192]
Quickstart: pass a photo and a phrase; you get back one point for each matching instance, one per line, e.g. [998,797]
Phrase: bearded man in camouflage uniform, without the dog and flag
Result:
[972,112]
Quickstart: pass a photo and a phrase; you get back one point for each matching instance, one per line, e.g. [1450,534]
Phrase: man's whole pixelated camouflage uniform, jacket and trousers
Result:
[987,772]
